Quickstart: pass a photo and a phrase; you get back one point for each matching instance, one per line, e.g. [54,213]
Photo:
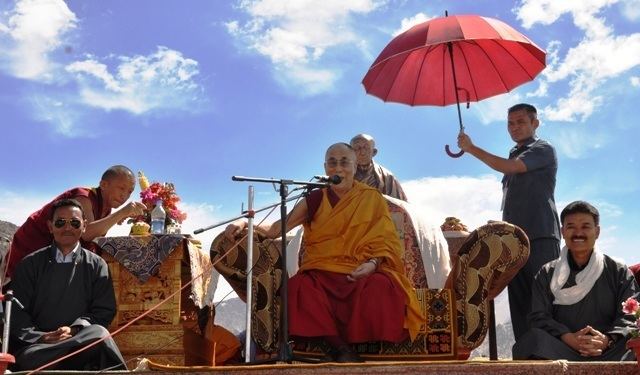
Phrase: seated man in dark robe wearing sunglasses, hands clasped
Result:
[68,300]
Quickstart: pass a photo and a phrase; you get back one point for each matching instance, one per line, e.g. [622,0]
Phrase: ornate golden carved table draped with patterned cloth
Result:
[146,270]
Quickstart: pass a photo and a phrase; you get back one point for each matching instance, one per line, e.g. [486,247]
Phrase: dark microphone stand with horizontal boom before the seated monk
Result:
[285,354]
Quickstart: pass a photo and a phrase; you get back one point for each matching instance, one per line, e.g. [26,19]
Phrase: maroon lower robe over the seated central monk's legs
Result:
[325,303]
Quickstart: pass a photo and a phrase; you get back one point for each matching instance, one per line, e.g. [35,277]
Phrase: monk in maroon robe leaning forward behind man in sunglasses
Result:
[116,185]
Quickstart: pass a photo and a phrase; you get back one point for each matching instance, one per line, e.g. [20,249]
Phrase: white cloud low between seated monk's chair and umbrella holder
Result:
[474,200]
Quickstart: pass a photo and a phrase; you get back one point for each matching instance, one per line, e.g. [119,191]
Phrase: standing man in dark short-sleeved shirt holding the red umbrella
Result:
[528,201]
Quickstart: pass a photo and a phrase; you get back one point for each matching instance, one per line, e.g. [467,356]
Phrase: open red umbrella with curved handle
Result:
[435,62]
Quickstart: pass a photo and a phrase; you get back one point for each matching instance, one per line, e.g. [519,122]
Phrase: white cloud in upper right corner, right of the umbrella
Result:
[599,57]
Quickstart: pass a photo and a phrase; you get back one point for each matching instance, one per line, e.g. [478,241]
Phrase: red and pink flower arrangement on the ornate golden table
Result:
[150,193]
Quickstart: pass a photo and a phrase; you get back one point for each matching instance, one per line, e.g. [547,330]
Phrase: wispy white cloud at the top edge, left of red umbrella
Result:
[296,35]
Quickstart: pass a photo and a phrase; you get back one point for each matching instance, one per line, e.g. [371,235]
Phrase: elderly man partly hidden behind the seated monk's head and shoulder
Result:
[371,173]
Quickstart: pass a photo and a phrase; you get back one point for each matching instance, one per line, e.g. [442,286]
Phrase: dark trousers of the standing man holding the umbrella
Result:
[542,250]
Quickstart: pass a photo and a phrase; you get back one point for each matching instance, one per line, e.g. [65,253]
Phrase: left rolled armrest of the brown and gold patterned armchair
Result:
[267,276]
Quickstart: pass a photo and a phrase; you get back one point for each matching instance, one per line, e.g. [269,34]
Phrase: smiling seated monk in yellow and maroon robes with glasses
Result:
[351,286]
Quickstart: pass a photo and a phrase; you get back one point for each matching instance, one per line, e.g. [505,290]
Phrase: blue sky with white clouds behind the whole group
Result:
[194,92]
